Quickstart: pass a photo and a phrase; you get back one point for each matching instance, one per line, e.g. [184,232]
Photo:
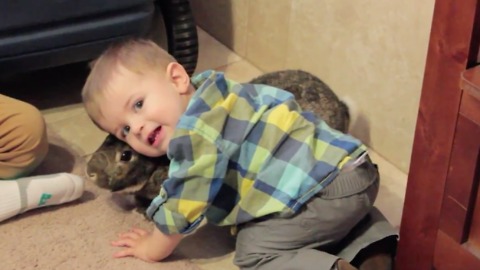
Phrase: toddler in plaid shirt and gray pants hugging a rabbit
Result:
[242,155]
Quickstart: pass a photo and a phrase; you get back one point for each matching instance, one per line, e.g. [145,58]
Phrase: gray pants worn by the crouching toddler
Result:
[309,239]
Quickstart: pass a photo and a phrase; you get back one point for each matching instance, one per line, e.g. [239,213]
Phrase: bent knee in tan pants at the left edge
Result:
[23,139]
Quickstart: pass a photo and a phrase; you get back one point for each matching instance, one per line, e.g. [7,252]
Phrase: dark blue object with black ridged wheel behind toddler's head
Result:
[36,34]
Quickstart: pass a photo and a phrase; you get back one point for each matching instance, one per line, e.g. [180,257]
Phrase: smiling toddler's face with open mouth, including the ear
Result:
[143,110]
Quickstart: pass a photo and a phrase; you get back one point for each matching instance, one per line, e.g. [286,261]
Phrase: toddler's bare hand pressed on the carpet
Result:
[150,247]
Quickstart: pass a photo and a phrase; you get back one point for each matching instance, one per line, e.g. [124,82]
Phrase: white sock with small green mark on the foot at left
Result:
[23,194]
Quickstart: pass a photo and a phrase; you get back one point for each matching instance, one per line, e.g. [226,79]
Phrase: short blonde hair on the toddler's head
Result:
[136,55]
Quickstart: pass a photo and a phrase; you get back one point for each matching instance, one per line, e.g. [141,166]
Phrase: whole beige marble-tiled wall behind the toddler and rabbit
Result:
[372,53]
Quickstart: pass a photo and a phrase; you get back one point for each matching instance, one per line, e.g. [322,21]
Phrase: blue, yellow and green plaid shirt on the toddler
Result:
[243,151]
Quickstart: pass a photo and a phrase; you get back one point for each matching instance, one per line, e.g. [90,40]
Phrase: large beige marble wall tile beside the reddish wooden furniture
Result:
[373,52]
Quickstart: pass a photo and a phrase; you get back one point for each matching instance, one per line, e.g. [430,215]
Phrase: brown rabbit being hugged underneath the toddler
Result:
[116,166]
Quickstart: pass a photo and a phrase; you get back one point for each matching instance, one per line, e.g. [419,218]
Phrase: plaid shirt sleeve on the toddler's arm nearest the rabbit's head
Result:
[196,173]
